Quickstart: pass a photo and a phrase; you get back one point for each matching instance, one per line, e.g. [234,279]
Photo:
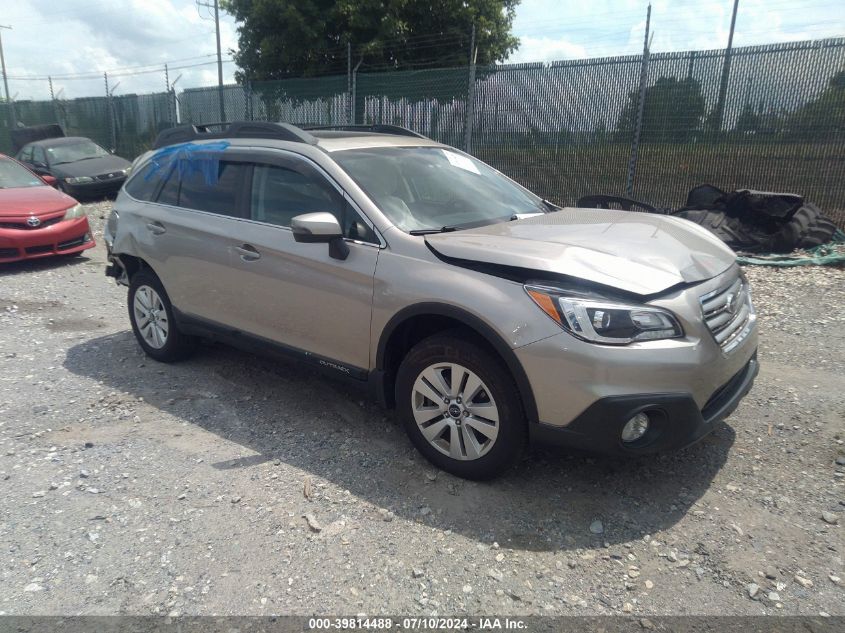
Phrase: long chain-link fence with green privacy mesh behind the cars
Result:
[563,129]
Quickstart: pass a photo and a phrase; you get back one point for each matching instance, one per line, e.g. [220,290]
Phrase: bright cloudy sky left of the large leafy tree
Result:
[89,37]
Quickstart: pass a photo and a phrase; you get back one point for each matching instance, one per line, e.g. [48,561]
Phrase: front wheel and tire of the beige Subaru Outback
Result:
[476,429]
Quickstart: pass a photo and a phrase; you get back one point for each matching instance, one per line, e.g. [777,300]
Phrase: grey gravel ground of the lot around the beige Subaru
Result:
[230,484]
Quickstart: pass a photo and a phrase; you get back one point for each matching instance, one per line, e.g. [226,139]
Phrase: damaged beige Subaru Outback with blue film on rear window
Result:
[487,316]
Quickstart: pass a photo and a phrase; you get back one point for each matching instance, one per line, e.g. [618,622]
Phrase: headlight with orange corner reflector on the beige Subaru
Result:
[605,321]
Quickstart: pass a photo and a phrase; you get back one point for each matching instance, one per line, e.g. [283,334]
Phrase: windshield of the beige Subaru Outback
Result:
[420,188]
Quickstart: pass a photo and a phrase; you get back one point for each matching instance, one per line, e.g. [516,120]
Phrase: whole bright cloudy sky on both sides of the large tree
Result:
[76,40]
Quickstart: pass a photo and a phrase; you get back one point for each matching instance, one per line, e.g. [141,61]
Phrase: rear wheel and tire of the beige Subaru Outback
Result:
[161,340]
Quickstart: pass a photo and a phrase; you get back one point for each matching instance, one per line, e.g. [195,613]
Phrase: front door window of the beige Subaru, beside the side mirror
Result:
[280,194]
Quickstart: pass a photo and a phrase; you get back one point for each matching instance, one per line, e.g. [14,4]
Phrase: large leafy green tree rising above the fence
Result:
[280,39]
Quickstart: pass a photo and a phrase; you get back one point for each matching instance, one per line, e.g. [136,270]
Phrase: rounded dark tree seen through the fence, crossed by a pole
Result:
[672,112]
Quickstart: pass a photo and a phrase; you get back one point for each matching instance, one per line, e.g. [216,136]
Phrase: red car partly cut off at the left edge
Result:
[37,220]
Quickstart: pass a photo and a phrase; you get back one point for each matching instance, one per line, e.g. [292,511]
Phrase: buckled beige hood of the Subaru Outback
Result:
[639,253]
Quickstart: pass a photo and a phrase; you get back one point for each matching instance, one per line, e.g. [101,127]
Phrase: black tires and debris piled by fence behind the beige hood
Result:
[748,221]
